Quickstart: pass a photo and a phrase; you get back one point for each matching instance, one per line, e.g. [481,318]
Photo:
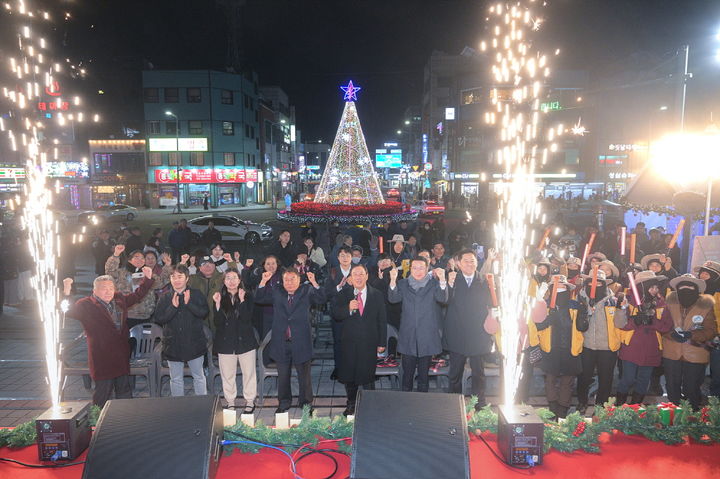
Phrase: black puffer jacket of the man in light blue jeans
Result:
[183,335]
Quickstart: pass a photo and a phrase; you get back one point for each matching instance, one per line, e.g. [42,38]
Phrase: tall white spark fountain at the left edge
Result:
[31,74]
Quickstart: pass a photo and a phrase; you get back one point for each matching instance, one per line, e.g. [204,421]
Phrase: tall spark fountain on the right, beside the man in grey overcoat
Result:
[521,71]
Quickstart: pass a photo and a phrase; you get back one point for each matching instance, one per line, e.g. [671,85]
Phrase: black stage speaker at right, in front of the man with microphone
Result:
[409,435]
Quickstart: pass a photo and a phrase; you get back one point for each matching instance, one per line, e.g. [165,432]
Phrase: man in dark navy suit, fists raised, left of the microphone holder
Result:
[291,341]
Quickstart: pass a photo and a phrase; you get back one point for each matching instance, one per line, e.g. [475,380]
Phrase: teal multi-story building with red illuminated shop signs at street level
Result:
[203,137]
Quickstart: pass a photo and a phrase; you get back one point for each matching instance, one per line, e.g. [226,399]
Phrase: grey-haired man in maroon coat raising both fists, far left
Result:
[103,316]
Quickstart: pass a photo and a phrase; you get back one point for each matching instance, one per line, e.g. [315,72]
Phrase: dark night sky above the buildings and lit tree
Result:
[309,48]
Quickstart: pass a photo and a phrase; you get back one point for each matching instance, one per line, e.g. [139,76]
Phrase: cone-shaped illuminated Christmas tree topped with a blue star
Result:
[349,177]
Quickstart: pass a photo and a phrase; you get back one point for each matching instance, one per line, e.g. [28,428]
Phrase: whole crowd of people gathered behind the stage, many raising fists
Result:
[430,285]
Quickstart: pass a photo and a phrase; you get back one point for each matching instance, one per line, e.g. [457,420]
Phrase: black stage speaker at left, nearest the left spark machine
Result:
[168,438]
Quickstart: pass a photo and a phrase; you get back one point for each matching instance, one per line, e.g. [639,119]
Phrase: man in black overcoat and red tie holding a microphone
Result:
[362,310]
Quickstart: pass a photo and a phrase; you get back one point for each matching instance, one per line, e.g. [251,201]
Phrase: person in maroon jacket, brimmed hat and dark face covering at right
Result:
[640,349]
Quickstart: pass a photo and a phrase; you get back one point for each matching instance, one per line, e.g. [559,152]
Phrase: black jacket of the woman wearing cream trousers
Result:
[234,332]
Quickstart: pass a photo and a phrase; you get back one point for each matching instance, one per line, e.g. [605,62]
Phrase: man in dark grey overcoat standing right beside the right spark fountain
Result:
[464,335]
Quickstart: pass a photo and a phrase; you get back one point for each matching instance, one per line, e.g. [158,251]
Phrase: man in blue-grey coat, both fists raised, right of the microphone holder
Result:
[419,337]
